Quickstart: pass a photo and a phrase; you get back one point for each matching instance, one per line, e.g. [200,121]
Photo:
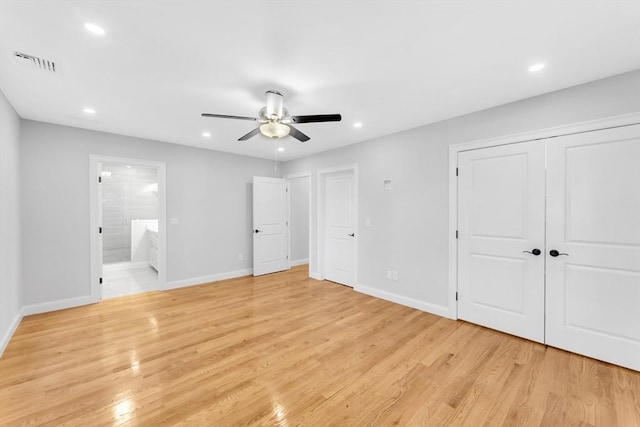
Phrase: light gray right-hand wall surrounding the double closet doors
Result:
[409,222]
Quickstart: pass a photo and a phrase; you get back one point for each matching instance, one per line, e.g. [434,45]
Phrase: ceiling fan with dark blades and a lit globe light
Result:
[275,121]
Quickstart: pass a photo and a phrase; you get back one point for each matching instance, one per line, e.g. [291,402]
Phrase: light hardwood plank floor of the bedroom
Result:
[286,350]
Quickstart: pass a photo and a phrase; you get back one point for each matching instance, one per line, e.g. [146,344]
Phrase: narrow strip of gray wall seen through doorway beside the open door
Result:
[299,214]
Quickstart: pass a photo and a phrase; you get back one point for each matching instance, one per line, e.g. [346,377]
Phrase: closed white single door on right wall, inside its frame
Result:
[339,228]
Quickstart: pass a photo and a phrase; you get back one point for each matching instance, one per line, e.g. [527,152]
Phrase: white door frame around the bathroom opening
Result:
[95,206]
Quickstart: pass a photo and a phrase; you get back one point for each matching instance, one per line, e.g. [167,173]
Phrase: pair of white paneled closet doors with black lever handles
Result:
[549,241]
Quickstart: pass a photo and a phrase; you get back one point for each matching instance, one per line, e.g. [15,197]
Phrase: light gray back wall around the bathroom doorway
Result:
[209,192]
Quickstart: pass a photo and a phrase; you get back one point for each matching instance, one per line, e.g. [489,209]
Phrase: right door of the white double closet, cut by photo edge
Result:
[593,221]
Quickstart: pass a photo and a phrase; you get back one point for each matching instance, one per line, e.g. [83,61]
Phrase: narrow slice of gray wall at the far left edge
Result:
[10,295]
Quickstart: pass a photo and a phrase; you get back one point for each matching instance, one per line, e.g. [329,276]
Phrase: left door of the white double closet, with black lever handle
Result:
[501,199]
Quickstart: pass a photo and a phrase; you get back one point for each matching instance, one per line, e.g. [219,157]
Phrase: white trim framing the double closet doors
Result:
[542,134]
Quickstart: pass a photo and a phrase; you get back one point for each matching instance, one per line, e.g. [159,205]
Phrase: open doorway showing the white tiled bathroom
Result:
[128,239]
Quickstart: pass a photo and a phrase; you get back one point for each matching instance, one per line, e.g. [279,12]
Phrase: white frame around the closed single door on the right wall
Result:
[321,180]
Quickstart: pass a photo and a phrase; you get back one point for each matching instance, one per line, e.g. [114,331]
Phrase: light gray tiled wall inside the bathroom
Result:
[127,193]
